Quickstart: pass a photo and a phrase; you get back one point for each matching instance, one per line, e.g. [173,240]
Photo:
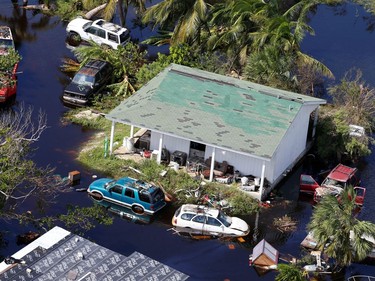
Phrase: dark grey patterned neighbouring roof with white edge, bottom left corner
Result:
[61,255]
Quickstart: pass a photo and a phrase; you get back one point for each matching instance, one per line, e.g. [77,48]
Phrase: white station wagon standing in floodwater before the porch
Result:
[203,220]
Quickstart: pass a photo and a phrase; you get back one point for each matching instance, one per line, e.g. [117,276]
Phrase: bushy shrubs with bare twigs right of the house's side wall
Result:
[353,104]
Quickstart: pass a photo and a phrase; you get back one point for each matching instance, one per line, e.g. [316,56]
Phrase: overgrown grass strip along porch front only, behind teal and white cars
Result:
[94,157]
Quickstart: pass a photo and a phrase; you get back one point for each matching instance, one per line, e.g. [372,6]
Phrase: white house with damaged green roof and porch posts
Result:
[259,130]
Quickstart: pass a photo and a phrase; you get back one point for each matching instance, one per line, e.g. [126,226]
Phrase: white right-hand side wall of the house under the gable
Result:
[293,143]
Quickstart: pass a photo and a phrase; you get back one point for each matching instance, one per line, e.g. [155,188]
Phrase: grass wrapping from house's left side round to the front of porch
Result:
[93,156]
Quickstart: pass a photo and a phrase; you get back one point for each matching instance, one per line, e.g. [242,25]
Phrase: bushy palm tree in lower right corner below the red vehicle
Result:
[338,232]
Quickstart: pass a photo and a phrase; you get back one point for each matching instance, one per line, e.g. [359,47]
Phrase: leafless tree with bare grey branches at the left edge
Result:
[20,177]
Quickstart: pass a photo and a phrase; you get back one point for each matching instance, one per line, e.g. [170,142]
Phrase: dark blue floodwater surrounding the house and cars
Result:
[342,41]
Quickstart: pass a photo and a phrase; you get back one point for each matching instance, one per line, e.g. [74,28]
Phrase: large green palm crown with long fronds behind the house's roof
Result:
[252,25]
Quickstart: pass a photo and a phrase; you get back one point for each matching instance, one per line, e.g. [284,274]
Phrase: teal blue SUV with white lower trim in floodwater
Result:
[137,195]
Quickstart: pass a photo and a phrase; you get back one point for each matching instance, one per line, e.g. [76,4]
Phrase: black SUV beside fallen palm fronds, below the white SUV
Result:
[88,82]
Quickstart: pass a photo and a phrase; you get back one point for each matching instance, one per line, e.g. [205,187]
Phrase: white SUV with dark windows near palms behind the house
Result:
[106,34]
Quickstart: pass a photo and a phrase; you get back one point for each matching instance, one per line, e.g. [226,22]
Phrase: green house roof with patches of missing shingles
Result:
[213,109]
